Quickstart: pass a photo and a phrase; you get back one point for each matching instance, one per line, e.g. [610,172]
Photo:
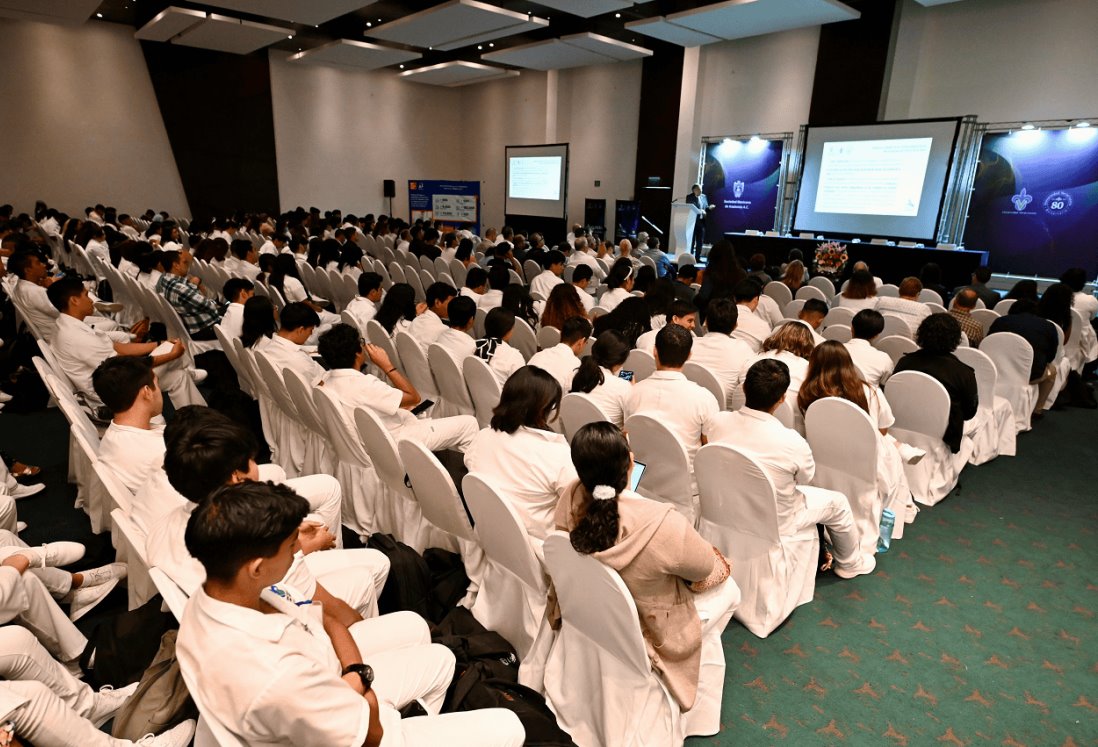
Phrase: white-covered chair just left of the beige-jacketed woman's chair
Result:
[512,600]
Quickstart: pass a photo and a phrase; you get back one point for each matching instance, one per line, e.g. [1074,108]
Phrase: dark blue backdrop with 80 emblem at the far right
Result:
[1035,207]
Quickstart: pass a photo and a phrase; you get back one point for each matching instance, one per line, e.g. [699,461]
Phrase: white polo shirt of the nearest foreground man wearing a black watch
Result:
[271,679]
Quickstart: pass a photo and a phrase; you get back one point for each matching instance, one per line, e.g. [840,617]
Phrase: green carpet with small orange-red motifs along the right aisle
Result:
[978,629]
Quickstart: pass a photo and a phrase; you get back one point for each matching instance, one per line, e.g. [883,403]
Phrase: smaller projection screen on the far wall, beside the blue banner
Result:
[537,181]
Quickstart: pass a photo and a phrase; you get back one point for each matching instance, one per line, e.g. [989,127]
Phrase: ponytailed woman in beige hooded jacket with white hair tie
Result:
[664,562]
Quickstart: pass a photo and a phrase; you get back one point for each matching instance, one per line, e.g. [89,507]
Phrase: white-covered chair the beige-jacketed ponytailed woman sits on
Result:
[599,678]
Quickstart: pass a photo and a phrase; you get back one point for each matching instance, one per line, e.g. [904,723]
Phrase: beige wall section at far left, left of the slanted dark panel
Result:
[81,122]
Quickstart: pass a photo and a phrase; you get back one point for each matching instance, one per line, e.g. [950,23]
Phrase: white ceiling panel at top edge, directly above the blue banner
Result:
[455,25]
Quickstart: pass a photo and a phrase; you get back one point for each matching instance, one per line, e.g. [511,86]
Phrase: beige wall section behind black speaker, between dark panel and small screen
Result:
[339,133]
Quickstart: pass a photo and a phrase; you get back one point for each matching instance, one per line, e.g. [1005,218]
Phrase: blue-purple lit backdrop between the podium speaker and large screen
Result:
[741,179]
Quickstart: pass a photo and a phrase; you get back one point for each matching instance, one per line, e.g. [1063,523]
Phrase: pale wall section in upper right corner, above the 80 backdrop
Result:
[1001,60]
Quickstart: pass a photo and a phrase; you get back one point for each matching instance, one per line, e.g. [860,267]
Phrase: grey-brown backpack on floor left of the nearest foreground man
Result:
[162,699]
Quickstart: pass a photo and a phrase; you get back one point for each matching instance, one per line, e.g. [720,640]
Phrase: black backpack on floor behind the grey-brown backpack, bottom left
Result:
[125,646]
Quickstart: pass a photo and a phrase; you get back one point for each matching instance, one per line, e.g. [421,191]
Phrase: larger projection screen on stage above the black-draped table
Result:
[886,180]
